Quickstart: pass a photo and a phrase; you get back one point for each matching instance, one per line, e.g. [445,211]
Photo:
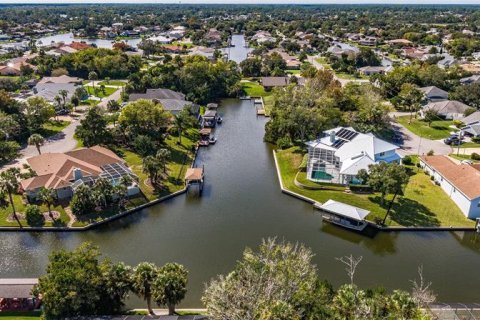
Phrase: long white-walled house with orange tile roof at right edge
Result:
[461,182]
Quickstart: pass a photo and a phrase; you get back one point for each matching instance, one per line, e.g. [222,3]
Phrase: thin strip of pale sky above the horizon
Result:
[255,1]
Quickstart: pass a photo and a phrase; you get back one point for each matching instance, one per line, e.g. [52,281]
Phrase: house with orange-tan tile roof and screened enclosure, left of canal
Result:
[64,172]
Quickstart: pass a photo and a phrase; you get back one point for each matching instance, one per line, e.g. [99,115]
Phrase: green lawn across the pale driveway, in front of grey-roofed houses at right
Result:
[437,130]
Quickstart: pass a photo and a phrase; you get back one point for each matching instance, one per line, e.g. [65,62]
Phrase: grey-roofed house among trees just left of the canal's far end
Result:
[171,100]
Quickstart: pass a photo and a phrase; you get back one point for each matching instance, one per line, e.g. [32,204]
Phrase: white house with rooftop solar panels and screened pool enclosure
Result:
[341,153]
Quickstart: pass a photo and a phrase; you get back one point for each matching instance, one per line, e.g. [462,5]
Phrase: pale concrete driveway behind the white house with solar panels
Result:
[411,144]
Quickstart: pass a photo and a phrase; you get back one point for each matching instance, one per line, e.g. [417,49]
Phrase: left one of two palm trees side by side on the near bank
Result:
[143,277]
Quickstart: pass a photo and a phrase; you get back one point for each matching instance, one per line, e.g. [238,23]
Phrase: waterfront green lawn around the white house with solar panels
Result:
[424,204]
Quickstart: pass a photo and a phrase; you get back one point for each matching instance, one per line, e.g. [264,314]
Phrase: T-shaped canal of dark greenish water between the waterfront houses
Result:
[241,205]
